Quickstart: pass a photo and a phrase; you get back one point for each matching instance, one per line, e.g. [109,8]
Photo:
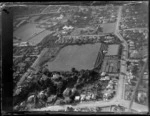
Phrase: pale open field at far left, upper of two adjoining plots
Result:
[26,31]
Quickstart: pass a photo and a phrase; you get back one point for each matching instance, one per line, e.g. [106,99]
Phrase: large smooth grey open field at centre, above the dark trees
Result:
[80,57]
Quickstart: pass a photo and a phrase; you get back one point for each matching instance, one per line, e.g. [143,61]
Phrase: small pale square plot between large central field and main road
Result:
[113,49]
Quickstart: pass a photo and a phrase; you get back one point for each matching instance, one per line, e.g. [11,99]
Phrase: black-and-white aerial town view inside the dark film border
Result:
[81,58]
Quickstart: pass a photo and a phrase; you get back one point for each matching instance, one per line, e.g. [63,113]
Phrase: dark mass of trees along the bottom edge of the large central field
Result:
[59,87]
